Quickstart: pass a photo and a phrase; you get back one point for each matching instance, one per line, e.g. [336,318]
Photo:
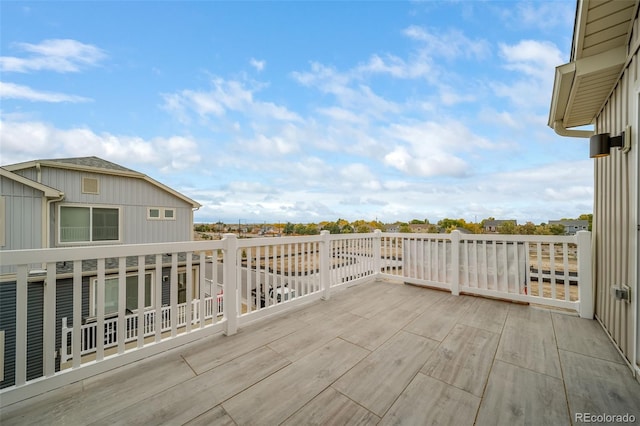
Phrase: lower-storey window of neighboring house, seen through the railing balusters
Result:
[131,298]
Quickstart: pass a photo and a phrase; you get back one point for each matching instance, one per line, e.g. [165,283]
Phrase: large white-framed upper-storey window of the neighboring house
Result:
[88,224]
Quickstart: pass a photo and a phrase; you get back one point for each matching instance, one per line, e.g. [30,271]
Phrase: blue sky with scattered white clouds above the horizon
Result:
[303,111]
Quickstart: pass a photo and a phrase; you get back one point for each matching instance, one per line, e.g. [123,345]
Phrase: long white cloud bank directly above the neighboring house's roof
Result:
[26,140]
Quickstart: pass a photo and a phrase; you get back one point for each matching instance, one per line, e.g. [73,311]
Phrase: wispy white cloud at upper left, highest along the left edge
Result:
[59,55]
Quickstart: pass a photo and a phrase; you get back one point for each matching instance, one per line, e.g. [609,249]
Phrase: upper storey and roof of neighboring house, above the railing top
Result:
[90,201]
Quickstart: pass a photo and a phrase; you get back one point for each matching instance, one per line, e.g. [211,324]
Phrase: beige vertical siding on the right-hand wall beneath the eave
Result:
[616,217]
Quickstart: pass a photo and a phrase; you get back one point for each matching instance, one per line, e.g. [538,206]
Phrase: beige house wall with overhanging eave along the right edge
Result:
[600,86]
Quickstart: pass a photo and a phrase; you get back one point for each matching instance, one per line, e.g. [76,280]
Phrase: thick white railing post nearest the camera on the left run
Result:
[229,280]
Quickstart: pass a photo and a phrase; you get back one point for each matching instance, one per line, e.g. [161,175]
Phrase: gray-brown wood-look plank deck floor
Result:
[377,353]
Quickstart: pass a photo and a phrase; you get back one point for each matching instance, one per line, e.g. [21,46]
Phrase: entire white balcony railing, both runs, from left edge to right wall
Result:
[258,277]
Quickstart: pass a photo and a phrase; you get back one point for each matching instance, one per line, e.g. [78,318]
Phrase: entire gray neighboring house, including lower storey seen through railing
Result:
[78,202]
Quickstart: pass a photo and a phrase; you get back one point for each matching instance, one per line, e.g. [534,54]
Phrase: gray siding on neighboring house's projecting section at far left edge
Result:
[23,209]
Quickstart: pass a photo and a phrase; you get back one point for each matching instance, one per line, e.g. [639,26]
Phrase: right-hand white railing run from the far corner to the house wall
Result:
[552,271]
